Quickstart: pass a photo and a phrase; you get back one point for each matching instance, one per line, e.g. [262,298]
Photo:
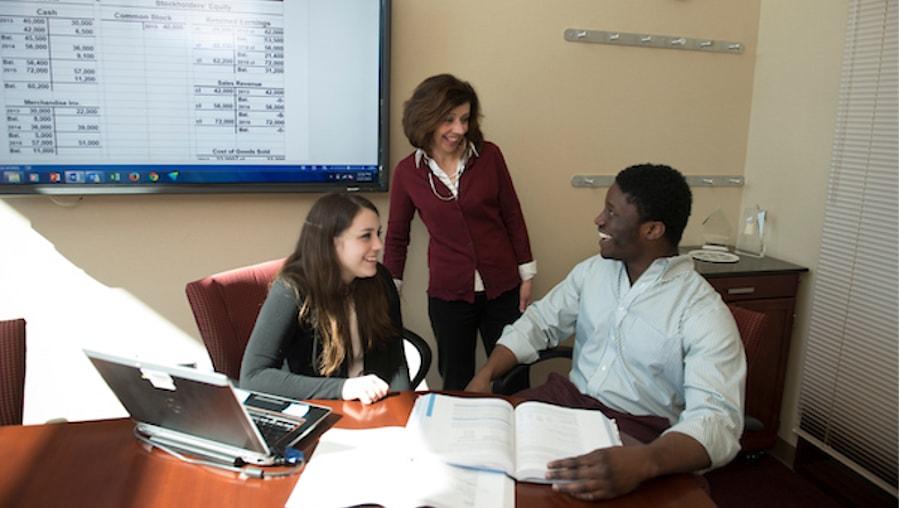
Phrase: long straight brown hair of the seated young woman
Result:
[314,272]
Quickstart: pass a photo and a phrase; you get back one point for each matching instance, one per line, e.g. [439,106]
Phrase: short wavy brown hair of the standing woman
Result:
[431,101]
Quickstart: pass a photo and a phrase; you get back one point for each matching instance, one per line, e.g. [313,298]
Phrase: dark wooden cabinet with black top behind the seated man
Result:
[769,286]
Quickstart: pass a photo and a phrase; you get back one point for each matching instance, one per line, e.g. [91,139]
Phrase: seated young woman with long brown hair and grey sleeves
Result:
[331,326]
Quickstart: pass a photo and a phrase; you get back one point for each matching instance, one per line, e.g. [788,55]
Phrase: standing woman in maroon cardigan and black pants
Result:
[479,257]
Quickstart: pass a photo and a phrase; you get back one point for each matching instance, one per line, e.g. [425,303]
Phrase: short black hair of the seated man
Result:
[660,193]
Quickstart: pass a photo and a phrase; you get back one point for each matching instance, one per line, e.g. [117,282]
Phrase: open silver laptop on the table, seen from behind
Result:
[201,413]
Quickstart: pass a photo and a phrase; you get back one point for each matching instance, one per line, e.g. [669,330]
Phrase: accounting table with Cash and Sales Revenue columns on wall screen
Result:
[120,81]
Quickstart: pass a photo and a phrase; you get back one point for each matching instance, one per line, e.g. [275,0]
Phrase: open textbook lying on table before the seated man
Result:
[490,434]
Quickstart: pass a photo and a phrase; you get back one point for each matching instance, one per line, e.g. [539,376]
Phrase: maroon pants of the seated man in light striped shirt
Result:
[560,391]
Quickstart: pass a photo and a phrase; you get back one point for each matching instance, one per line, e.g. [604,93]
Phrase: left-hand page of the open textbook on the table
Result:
[470,432]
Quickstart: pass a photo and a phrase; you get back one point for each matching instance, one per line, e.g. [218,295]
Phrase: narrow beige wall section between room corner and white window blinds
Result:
[789,146]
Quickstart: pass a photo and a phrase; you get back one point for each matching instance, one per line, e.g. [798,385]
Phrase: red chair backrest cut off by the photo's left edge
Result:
[12,371]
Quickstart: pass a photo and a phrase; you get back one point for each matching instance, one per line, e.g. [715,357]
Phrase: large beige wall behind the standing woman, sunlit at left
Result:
[555,108]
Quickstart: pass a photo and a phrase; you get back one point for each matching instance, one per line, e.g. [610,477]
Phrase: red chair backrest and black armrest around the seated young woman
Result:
[226,305]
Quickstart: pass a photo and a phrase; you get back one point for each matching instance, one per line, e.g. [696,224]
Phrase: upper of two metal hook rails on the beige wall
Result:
[652,41]
